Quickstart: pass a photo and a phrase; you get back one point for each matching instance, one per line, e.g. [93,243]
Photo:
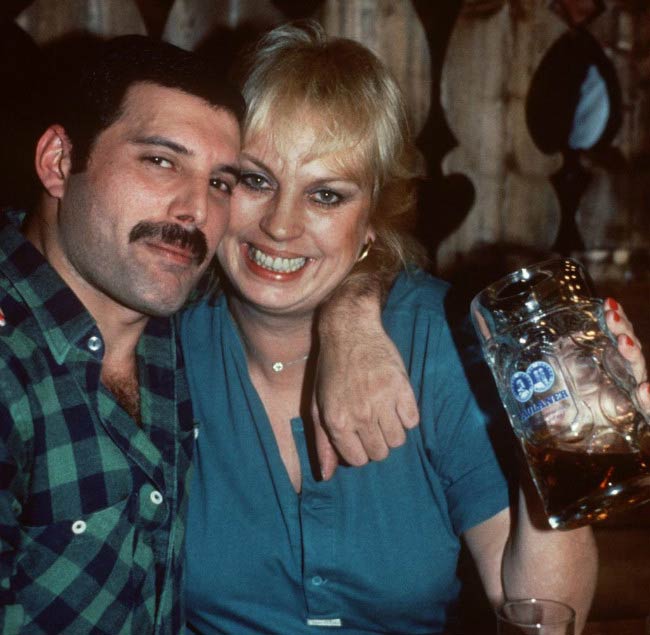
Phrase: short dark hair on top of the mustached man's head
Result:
[93,99]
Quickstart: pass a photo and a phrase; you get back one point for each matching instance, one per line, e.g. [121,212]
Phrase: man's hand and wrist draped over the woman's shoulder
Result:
[363,396]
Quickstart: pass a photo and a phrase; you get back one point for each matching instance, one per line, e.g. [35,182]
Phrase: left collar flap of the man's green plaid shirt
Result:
[61,317]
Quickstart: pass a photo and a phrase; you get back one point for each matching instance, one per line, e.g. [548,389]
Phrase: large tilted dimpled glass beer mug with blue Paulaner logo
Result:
[569,394]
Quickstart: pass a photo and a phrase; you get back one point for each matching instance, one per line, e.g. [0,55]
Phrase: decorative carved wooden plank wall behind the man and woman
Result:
[466,68]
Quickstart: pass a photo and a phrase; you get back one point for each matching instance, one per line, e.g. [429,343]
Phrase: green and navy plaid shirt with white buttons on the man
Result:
[92,506]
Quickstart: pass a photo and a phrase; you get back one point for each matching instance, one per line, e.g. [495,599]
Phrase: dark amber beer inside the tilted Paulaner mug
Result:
[581,487]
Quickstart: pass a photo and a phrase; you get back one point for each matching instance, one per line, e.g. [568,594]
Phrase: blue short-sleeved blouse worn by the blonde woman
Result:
[375,549]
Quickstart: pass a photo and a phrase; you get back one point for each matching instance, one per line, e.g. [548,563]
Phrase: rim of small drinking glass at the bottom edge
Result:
[535,617]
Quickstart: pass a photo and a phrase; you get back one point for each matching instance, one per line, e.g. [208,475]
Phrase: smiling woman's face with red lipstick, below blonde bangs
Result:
[297,225]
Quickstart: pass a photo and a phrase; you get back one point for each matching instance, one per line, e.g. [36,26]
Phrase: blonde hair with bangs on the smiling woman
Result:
[358,113]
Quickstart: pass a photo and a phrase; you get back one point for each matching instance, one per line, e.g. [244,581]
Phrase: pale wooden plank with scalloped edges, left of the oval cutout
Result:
[489,64]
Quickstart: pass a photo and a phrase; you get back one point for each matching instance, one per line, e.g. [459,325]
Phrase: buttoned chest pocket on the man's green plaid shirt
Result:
[79,565]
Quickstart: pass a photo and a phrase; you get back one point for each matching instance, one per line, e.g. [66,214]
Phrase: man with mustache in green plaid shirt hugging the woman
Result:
[95,421]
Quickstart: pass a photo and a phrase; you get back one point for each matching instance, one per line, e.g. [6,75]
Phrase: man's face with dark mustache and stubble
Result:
[139,226]
